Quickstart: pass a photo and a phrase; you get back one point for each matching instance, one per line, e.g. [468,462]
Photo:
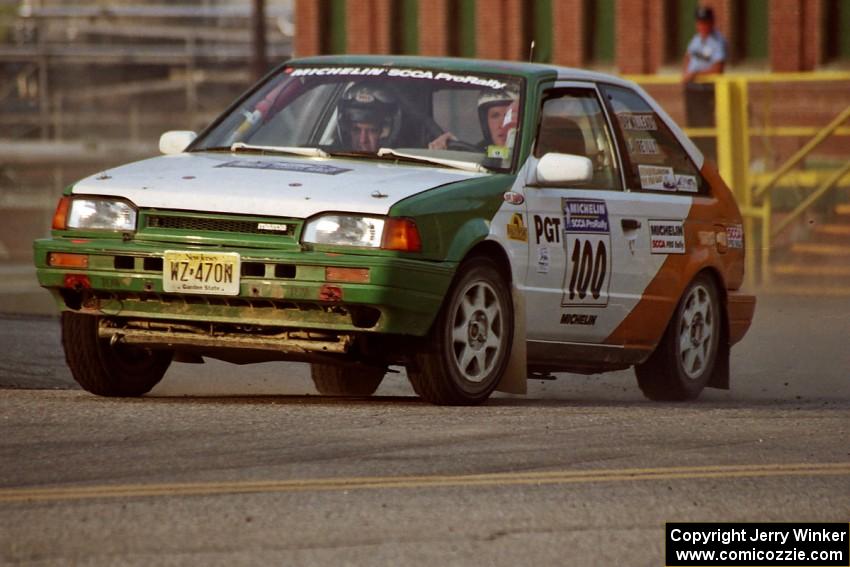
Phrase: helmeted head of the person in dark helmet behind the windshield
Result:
[369,118]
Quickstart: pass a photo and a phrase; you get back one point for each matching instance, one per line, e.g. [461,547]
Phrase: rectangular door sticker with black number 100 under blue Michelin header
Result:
[587,242]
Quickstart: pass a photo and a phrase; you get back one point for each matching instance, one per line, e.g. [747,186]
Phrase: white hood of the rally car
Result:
[285,186]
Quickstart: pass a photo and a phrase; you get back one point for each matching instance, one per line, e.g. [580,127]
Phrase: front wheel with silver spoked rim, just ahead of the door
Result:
[468,346]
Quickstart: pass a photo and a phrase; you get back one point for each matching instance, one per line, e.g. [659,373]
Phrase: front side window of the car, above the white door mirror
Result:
[572,122]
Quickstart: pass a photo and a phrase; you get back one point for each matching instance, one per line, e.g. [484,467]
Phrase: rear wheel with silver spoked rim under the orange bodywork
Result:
[684,361]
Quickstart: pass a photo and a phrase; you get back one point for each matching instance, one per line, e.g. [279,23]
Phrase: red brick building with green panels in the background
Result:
[626,36]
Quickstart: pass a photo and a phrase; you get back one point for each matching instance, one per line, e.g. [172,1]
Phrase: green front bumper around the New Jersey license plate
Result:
[124,280]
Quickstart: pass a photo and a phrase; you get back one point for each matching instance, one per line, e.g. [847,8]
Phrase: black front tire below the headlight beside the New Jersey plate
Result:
[119,371]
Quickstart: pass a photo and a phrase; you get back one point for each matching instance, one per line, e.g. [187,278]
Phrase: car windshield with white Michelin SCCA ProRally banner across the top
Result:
[444,117]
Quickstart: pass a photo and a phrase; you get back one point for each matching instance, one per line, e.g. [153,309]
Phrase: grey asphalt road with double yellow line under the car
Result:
[224,465]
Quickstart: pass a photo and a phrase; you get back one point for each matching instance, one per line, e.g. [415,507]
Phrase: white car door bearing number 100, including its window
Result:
[587,242]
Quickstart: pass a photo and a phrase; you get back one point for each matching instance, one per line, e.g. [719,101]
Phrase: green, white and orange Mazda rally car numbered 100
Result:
[478,222]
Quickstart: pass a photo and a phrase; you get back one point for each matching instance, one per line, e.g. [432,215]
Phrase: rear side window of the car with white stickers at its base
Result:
[654,159]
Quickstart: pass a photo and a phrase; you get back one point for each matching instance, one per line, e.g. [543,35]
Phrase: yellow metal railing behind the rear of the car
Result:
[754,190]
